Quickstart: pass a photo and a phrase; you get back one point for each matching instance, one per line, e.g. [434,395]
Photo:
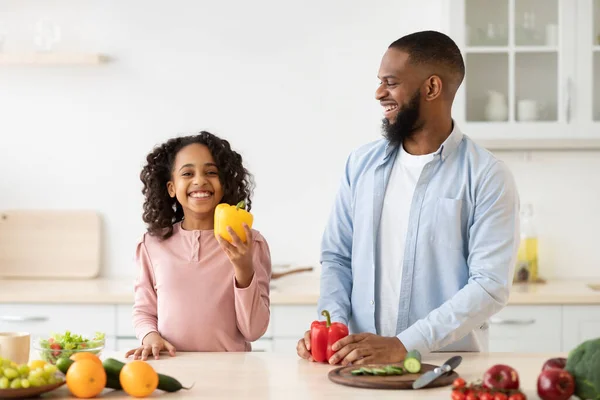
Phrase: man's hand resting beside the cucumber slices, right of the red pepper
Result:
[367,348]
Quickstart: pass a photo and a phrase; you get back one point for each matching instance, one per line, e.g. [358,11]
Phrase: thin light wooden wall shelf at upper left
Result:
[52,58]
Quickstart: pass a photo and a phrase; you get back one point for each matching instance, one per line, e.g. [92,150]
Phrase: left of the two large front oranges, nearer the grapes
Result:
[86,378]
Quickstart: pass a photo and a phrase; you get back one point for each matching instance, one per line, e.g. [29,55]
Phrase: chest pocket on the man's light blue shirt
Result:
[447,225]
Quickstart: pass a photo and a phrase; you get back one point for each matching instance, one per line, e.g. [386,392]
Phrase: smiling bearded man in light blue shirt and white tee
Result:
[420,247]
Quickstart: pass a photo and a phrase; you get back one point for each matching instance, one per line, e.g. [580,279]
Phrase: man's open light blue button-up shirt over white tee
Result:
[460,250]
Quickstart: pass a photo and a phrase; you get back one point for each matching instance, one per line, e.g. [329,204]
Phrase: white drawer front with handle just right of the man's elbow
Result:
[531,329]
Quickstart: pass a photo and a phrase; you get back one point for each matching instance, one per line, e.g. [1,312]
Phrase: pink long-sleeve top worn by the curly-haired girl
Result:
[186,291]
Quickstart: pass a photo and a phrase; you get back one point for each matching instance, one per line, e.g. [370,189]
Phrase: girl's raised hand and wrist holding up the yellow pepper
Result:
[240,255]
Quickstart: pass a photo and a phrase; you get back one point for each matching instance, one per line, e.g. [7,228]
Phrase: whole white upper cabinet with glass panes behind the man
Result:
[532,72]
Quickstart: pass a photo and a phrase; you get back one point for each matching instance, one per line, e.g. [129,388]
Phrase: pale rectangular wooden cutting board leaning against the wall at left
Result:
[49,244]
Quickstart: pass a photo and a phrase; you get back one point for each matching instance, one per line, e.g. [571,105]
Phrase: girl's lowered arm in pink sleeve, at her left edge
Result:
[144,307]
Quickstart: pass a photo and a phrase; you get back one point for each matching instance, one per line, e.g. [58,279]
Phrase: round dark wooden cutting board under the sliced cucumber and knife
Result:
[343,376]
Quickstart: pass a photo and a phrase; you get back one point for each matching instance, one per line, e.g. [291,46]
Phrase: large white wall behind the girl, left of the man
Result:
[298,77]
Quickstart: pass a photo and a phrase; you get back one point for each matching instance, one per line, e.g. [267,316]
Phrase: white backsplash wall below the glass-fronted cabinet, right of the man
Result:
[564,189]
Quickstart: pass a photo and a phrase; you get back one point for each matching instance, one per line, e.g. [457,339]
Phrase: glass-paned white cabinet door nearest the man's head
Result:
[519,57]
